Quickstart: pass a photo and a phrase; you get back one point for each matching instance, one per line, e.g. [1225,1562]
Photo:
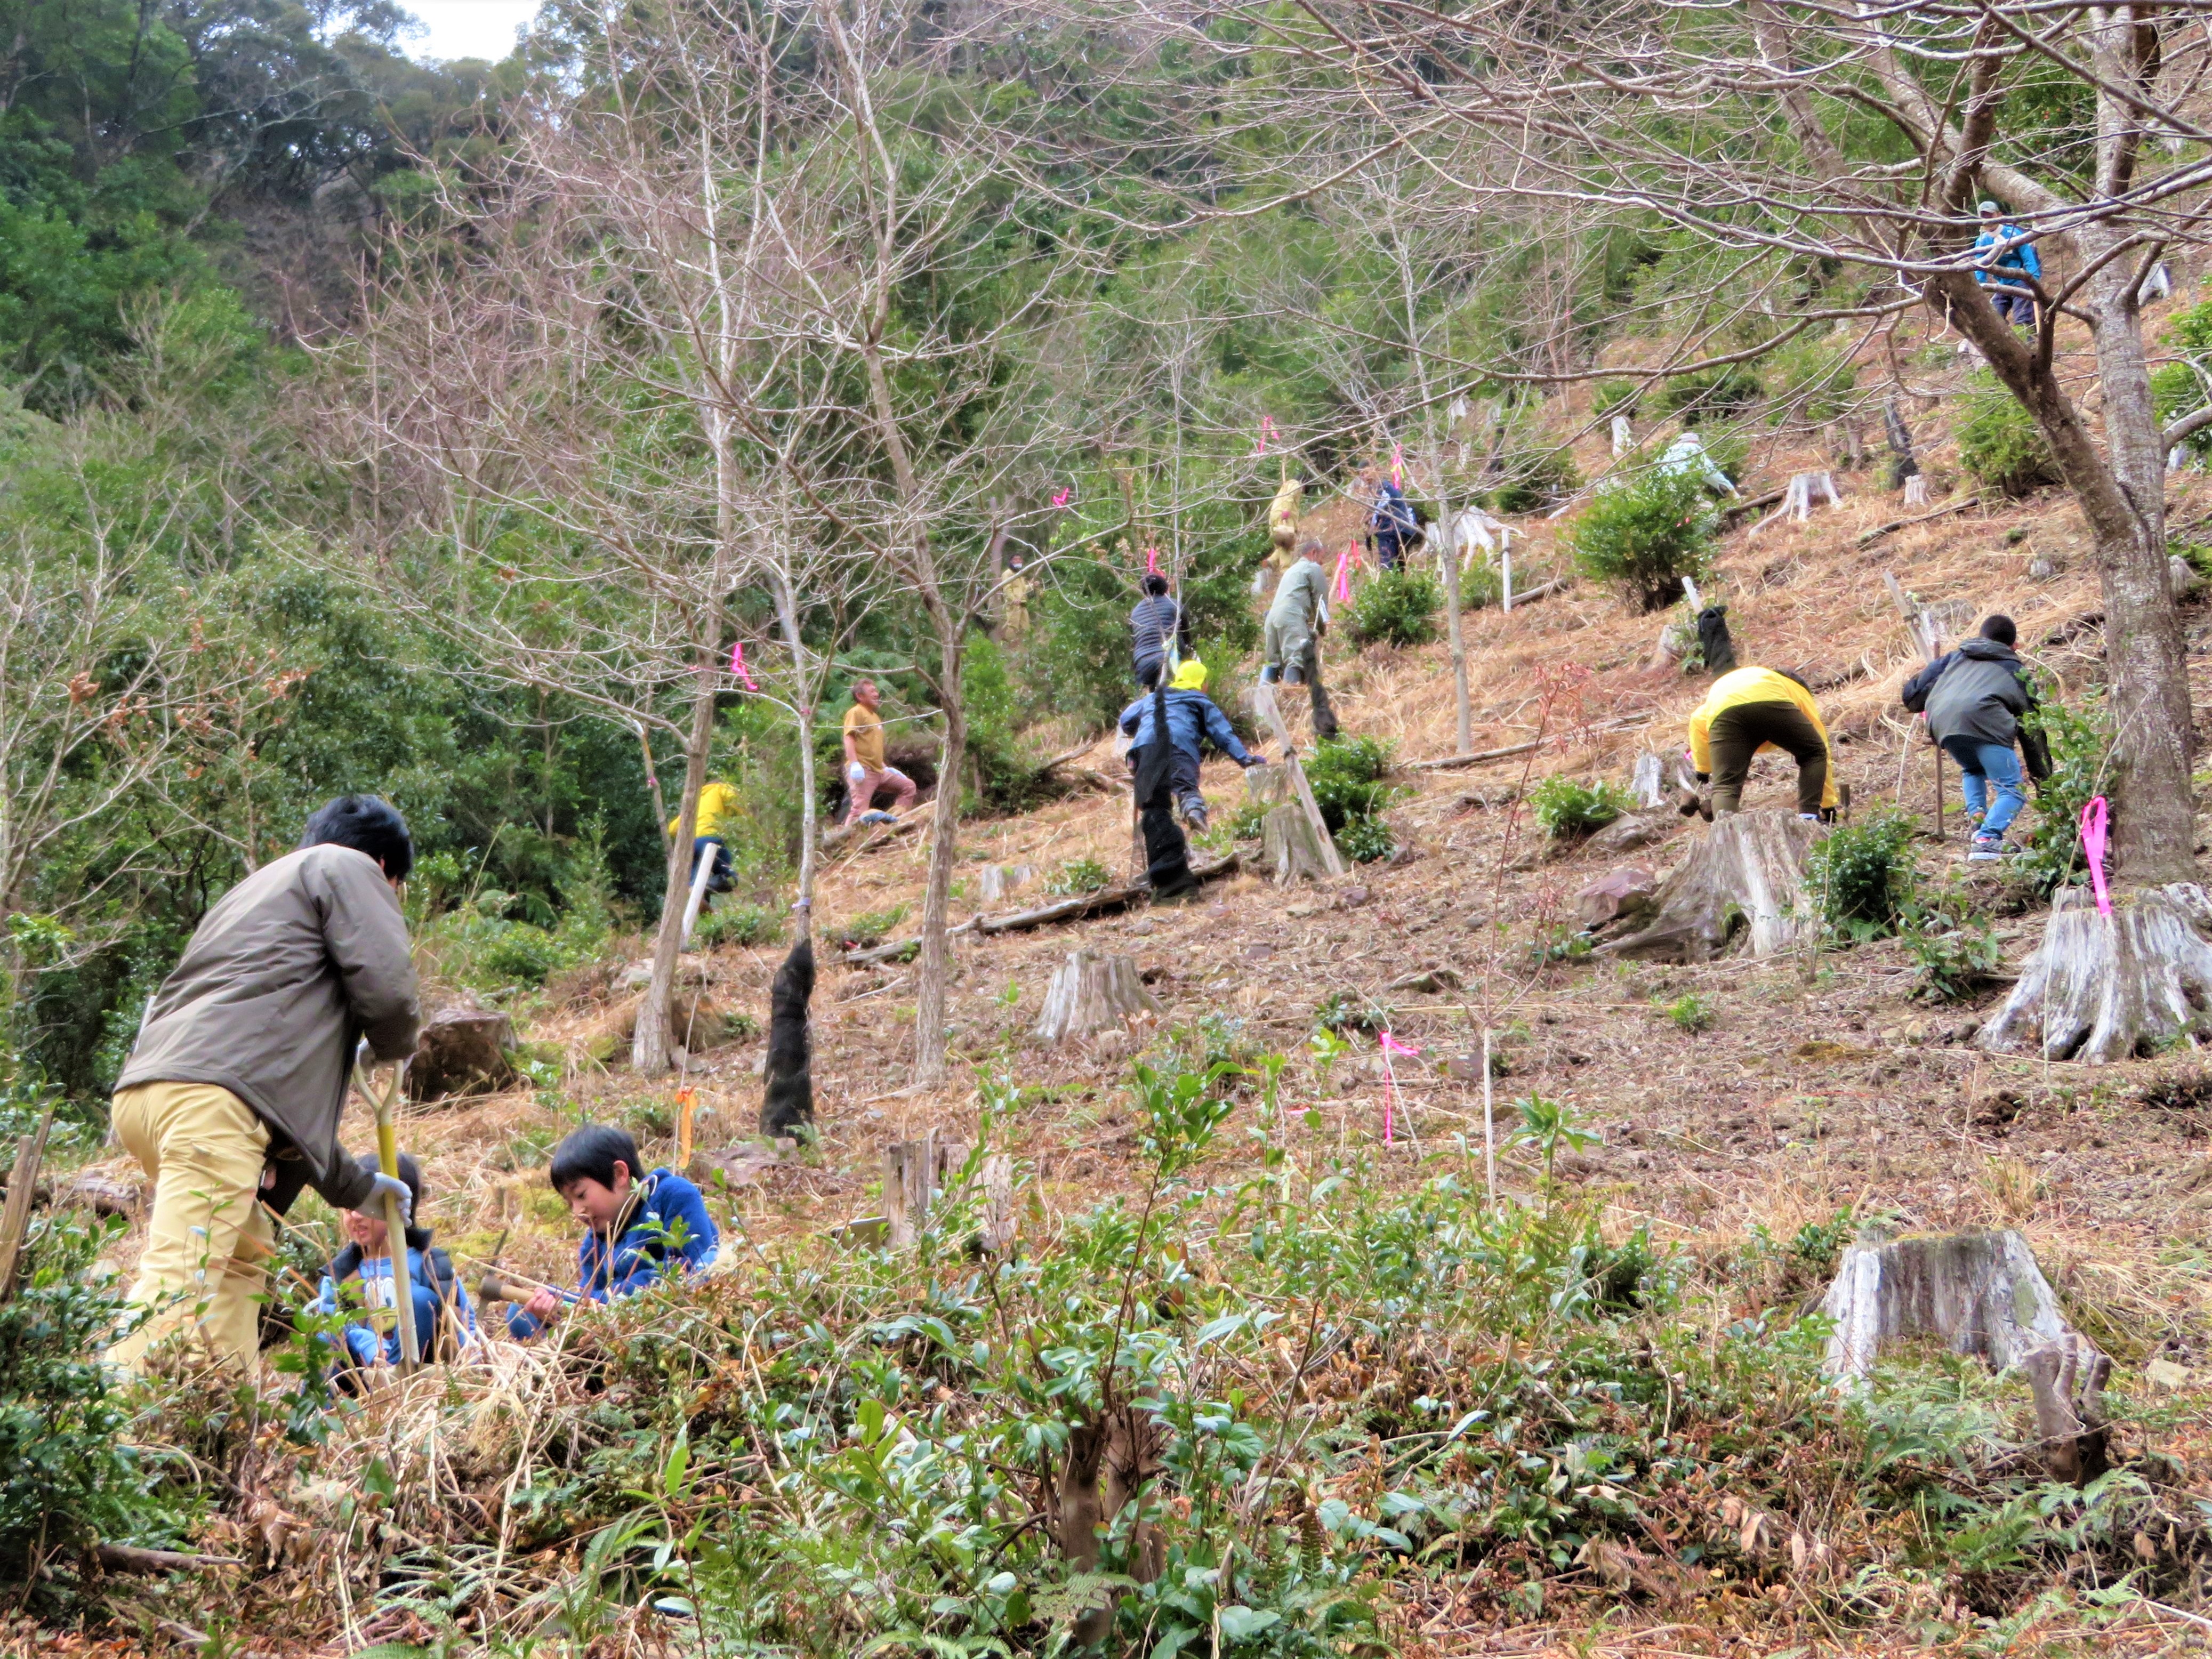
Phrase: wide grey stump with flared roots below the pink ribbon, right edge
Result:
[2111,988]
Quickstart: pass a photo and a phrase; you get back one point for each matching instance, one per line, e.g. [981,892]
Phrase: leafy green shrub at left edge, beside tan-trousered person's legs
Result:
[72,1472]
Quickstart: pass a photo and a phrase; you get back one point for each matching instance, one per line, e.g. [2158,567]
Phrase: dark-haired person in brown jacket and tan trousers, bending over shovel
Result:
[238,1078]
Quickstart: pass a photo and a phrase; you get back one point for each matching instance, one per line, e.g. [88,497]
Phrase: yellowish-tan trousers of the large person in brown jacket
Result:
[207,1240]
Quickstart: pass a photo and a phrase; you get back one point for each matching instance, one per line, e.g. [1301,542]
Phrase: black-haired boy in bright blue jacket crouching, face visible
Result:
[638,1229]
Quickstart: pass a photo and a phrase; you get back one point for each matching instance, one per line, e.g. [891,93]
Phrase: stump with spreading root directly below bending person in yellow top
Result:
[1744,877]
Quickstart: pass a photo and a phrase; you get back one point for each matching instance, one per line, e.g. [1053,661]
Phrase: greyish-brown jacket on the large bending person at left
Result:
[282,979]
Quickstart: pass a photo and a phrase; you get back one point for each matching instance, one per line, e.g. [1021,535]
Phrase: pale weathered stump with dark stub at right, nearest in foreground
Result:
[1983,1295]
